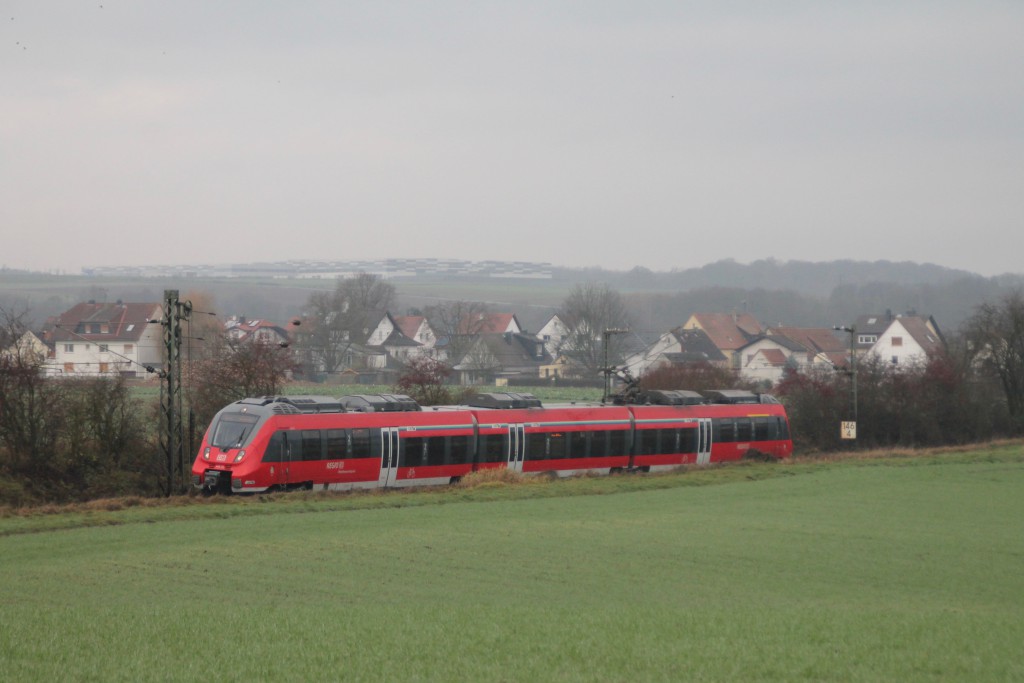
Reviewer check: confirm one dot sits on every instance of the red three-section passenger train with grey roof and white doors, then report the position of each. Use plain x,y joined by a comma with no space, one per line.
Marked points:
258,445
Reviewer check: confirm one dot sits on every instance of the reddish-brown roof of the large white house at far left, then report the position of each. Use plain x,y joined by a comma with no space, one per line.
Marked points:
102,323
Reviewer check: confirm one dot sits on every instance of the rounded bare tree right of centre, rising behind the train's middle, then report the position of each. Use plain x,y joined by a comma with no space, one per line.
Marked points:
590,312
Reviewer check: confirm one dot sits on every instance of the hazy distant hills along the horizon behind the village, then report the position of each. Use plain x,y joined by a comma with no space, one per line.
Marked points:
796,293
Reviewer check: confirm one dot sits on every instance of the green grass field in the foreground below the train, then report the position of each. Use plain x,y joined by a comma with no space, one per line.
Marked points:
900,569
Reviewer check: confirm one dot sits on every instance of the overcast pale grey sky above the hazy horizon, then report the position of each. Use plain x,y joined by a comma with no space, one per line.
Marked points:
667,135
